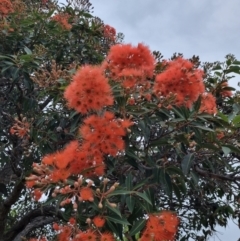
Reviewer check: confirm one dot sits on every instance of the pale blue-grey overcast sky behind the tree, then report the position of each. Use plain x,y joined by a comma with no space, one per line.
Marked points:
207,28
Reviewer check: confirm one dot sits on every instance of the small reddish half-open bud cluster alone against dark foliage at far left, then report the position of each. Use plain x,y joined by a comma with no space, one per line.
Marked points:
21,128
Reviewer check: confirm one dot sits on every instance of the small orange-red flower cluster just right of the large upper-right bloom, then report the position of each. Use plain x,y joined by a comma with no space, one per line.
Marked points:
208,104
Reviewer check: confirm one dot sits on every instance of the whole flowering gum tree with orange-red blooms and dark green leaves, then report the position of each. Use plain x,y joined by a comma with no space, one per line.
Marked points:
112,141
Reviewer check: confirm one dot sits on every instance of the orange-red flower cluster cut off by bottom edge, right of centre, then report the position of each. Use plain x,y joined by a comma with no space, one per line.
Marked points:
161,227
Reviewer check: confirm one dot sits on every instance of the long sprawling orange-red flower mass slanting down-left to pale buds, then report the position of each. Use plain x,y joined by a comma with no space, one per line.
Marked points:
101,135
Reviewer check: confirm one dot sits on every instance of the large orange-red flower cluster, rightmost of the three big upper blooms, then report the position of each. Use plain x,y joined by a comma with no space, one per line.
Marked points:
182,80
